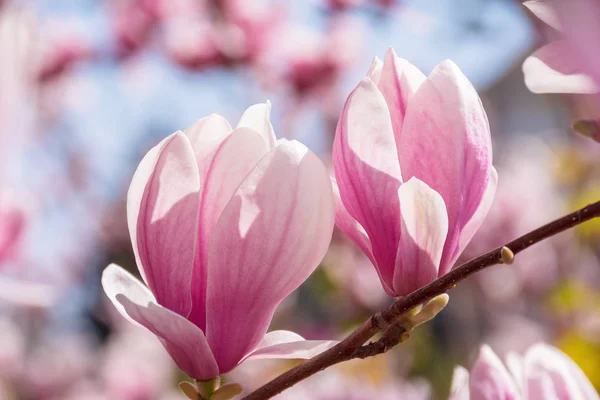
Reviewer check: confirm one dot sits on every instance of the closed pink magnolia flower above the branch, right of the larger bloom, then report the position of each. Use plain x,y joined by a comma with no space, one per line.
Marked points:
413,160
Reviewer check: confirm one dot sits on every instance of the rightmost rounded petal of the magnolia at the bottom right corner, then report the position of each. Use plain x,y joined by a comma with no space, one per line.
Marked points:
552,375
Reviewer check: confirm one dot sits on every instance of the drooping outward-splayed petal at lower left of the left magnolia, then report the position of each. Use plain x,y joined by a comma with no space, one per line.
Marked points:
184,341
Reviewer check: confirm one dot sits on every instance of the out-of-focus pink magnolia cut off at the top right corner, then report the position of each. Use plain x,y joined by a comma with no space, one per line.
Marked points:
568,64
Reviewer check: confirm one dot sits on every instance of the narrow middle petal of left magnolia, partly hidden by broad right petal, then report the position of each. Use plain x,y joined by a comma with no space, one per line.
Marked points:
232,161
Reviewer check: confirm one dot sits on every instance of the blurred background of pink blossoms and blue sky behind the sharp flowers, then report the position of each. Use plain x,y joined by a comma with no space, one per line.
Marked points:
87,87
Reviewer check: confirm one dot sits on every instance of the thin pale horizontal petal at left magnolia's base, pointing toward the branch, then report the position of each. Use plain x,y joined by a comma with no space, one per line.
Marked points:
303,349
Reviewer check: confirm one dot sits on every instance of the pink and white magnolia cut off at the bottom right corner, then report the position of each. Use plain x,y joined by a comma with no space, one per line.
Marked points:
544,373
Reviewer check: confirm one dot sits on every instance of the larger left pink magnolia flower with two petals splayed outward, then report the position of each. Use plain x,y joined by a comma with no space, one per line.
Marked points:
224,224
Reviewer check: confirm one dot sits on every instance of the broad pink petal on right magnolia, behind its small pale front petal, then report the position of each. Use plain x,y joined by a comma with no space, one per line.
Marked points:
446,143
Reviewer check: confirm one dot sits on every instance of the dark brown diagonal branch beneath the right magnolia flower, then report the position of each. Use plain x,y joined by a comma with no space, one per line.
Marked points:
387,320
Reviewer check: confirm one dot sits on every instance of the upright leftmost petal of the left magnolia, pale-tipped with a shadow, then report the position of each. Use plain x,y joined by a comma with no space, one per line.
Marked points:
162,214
